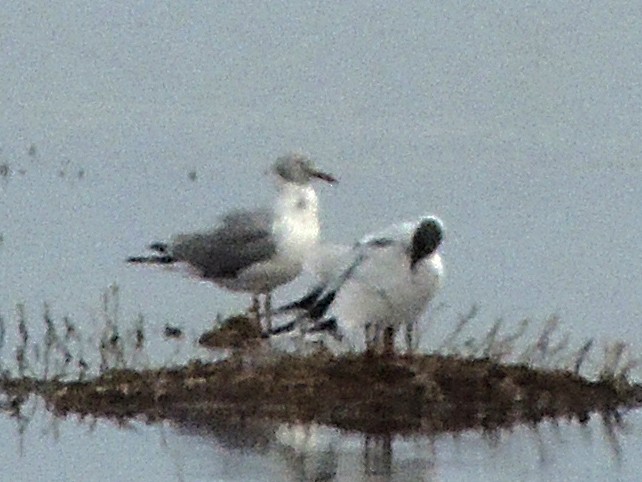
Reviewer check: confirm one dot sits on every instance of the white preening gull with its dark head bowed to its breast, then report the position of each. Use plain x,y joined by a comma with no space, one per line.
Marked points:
387,282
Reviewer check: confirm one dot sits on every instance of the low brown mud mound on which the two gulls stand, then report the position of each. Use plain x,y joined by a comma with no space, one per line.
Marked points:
420,393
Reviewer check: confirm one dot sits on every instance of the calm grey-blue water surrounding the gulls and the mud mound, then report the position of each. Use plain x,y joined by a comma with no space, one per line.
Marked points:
519,126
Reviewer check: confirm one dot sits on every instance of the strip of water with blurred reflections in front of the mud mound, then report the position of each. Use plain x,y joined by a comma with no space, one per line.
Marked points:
250,449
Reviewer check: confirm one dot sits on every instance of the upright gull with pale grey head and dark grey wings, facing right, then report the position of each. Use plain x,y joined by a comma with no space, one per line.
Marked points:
257,250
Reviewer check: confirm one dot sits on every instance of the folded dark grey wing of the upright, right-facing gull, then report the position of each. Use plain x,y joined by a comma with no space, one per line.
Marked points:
242,239
